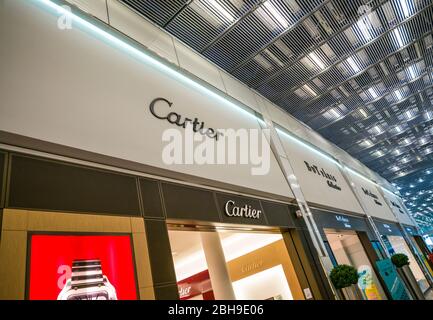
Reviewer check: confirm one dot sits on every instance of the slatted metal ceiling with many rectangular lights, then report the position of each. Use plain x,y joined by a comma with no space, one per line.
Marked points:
358,72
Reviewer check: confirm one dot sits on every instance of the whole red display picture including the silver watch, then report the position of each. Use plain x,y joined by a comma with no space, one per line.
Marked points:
81,267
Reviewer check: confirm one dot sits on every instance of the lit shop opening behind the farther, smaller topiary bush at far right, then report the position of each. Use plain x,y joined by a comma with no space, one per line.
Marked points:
397,244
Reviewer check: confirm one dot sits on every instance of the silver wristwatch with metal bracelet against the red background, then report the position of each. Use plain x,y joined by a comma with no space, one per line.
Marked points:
87,282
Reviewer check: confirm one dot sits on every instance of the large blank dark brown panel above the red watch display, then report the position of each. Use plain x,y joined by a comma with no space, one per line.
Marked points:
49,185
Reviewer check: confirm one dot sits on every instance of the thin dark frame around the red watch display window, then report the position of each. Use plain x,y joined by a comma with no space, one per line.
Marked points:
30,234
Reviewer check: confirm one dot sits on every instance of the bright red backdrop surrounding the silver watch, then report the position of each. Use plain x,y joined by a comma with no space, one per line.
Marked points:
51,258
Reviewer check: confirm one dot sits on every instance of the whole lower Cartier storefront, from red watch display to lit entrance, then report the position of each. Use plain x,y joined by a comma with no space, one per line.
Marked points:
139,237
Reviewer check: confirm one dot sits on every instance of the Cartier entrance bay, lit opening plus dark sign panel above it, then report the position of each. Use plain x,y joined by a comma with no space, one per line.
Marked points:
228,246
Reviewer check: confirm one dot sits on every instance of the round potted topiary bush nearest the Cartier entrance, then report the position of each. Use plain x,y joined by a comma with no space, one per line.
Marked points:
345,279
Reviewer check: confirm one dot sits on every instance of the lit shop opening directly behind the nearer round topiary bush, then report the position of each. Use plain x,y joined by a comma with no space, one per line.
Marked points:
347,249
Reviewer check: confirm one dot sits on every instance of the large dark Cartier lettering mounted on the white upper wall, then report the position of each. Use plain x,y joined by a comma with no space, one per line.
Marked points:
179,120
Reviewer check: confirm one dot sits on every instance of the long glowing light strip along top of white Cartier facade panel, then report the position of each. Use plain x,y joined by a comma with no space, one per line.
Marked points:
142,56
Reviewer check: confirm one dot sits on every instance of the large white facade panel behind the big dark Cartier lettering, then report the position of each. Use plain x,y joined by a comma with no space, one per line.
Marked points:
77,89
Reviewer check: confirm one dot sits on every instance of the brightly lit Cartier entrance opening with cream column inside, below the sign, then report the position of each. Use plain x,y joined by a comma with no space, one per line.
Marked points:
232,264
